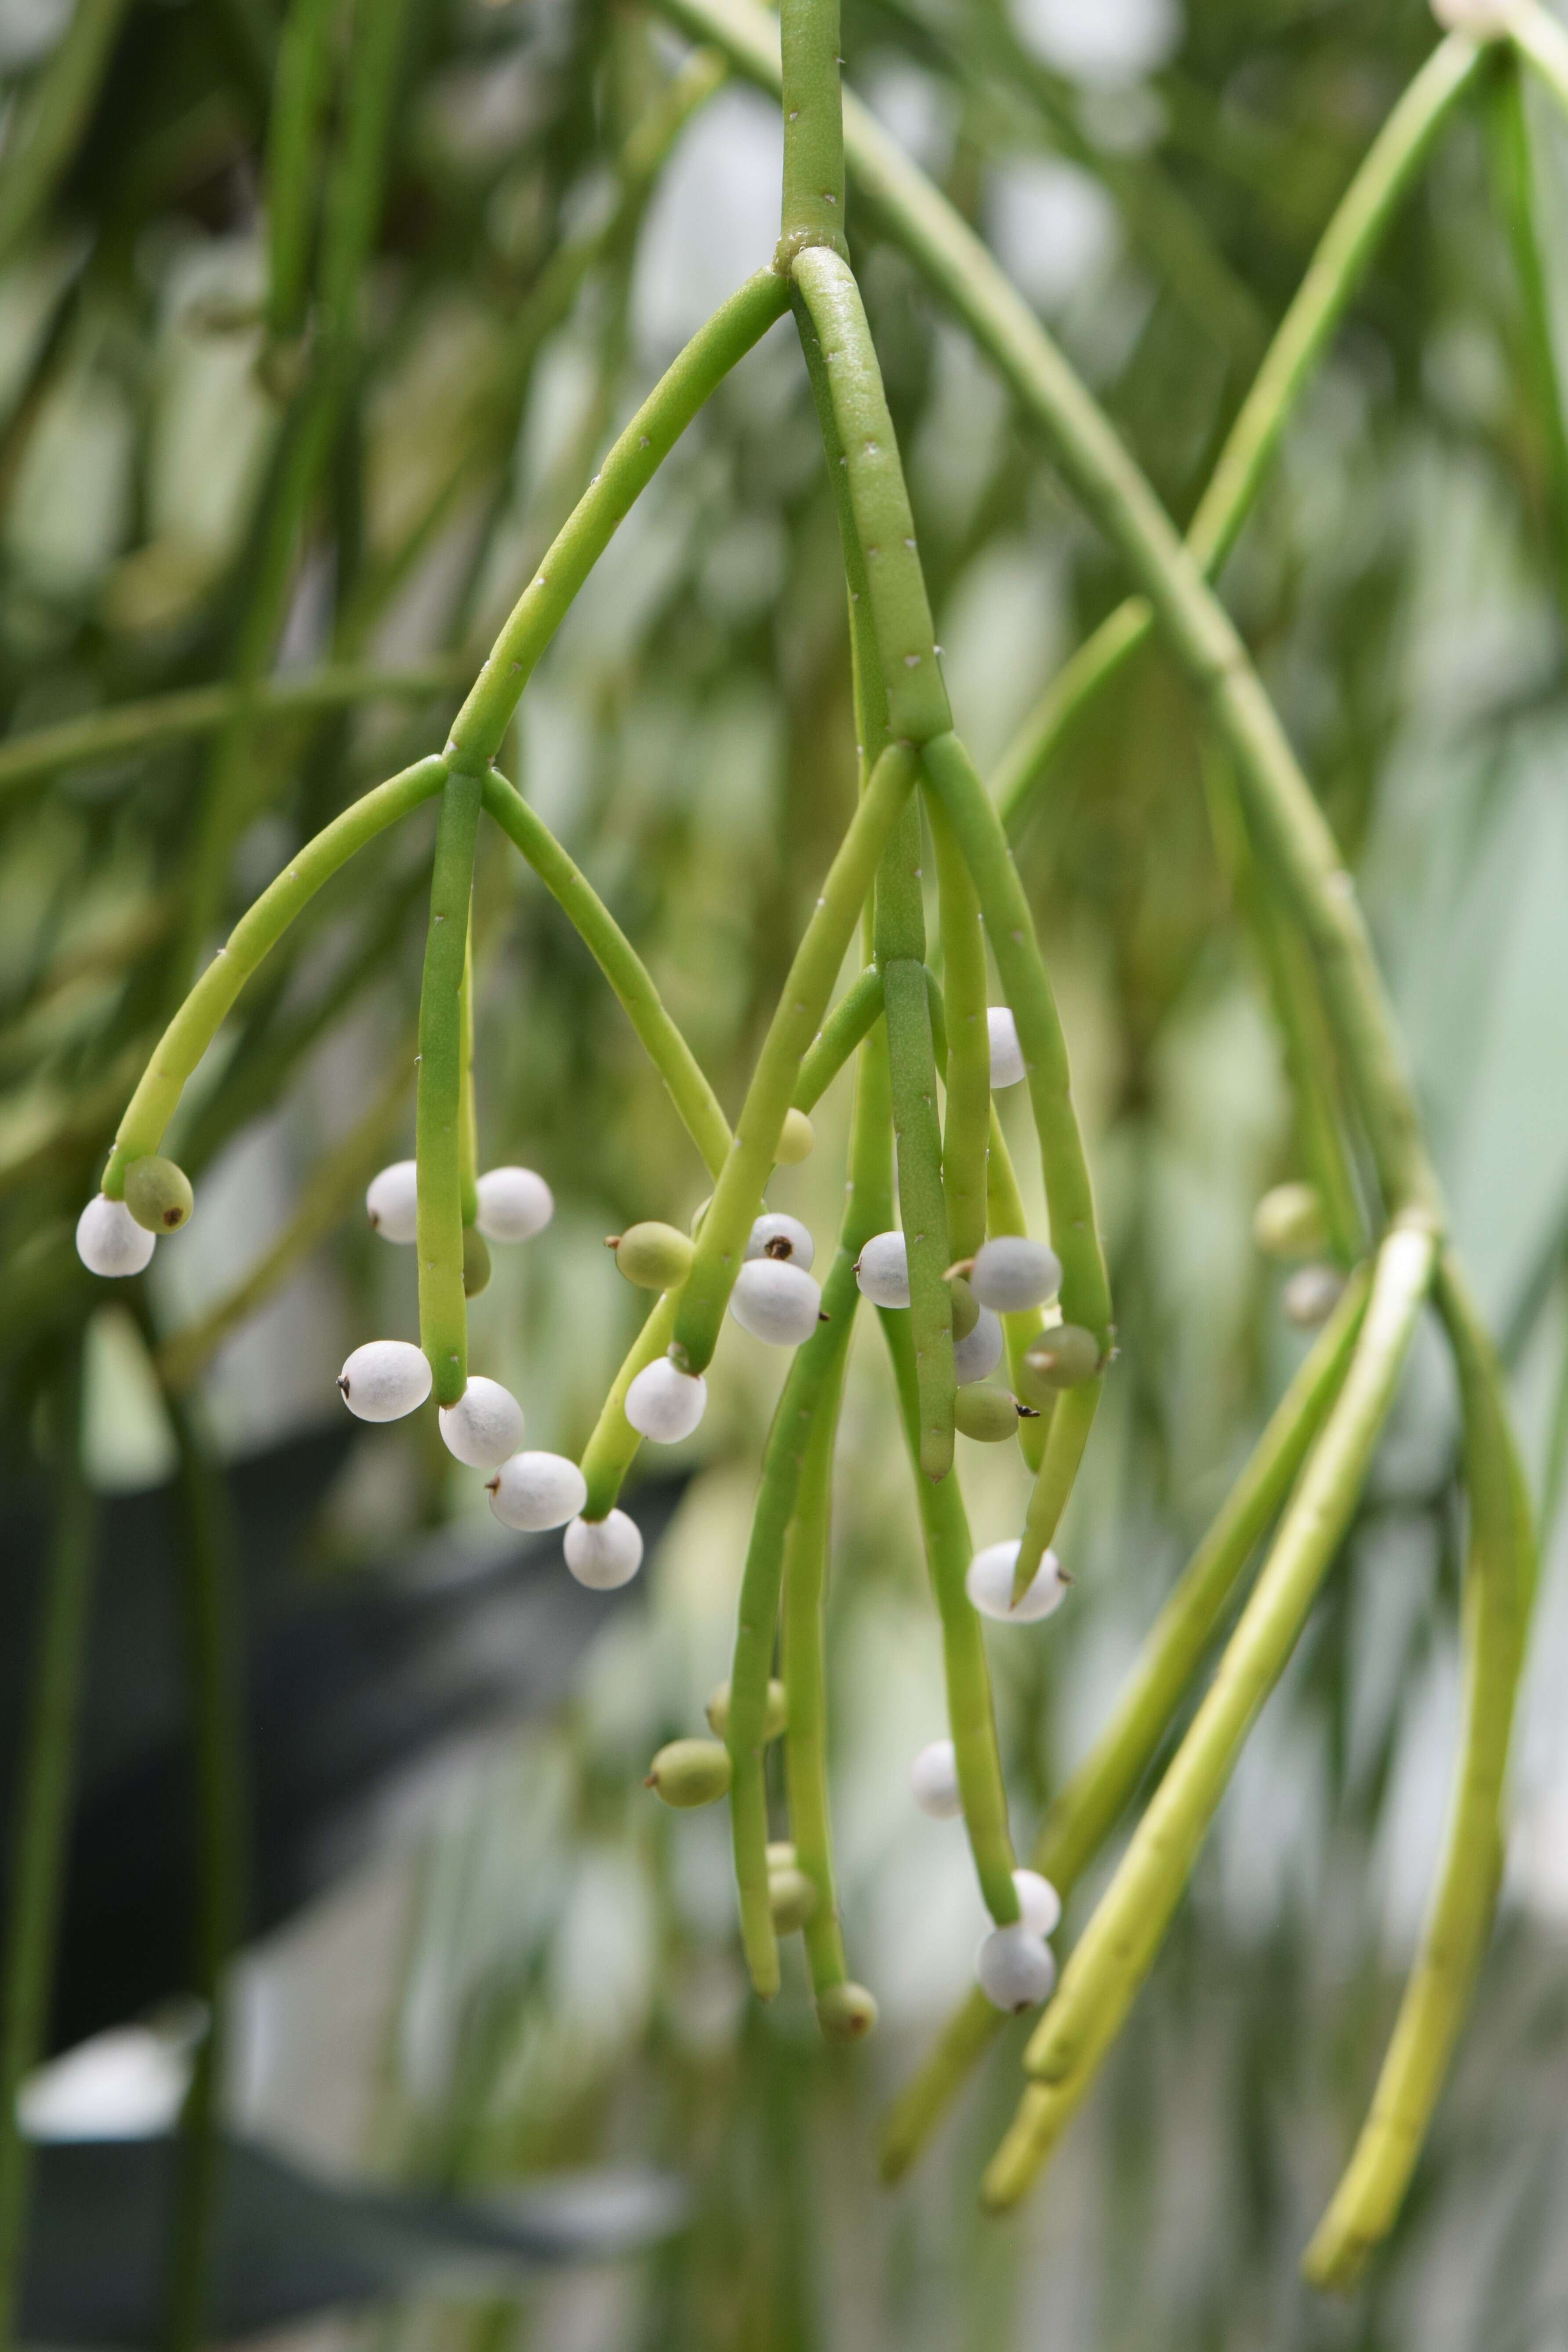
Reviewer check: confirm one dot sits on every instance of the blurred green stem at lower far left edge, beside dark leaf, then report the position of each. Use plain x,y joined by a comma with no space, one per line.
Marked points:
43,1815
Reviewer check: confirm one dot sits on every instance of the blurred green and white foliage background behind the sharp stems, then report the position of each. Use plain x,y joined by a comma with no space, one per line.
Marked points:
478,1953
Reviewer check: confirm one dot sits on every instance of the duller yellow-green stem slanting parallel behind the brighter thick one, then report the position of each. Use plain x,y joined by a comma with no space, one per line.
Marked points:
1104,1784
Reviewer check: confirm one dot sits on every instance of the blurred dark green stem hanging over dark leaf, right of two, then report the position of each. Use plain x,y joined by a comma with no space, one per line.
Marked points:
217,1709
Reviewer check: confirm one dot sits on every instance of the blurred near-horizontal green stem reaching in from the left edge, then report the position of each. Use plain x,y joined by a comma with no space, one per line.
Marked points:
175,719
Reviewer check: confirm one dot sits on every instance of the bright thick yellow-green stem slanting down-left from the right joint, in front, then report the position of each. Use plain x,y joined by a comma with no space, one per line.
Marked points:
1127,1930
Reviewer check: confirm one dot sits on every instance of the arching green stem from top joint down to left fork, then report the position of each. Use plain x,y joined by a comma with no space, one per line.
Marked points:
631,465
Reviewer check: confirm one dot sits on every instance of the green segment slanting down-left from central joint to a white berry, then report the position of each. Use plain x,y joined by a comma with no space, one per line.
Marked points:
784,1050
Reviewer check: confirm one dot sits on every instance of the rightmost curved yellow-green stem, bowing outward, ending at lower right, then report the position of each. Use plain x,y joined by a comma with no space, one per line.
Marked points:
1499,1589
